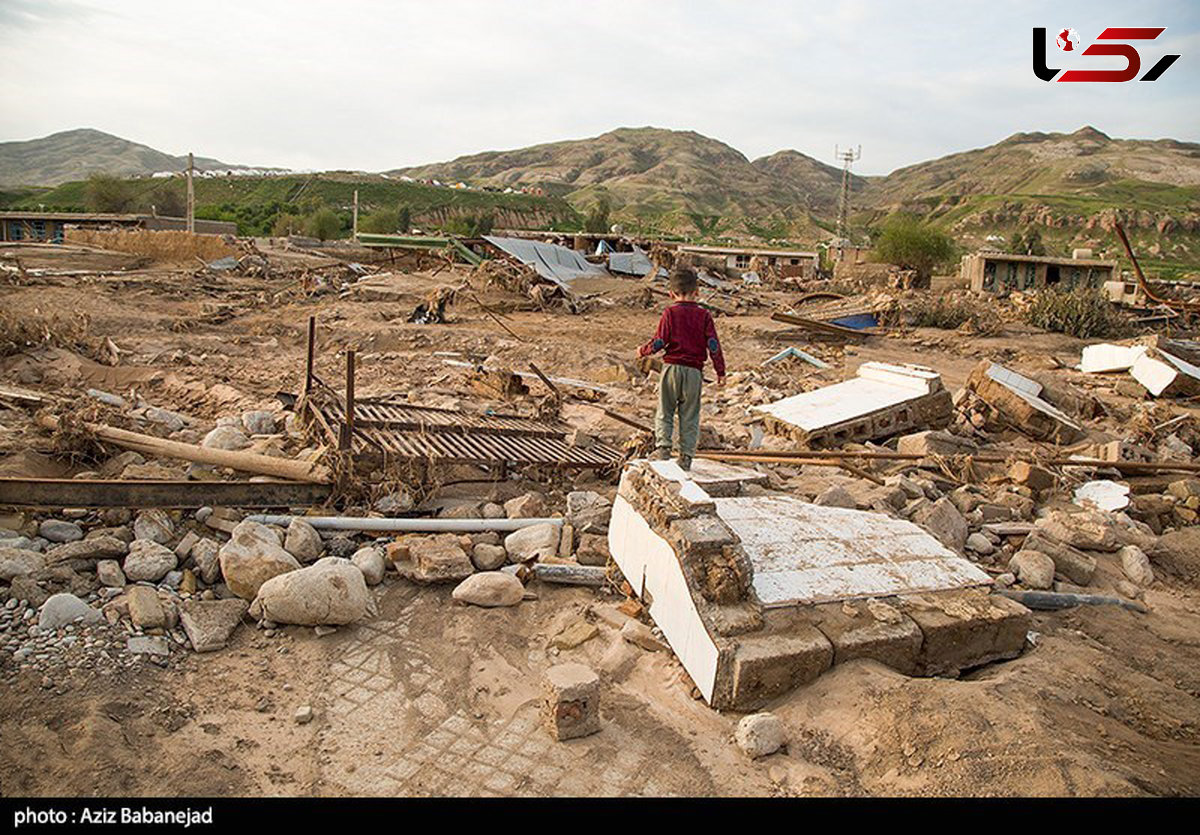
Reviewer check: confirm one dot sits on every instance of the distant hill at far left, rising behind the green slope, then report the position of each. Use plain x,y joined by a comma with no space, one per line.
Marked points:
74,155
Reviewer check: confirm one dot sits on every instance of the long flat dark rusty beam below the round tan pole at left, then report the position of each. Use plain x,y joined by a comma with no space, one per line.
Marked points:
137,494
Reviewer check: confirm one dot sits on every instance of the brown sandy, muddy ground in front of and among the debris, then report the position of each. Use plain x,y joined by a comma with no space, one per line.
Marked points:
434,699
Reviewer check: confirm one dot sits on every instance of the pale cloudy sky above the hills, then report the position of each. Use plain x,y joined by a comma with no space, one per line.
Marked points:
374,86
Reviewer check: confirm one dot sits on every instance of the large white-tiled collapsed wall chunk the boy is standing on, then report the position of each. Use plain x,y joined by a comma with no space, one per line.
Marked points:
759,593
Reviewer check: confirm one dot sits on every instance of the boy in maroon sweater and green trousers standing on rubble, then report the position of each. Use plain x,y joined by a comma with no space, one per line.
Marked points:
686,333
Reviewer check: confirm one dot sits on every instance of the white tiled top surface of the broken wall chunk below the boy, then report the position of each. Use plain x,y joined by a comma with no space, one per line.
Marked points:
806,554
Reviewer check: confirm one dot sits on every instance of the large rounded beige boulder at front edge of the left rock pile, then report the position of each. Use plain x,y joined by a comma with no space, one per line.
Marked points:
331,592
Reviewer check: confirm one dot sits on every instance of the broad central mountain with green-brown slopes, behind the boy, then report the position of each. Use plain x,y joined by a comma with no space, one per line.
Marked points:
658,176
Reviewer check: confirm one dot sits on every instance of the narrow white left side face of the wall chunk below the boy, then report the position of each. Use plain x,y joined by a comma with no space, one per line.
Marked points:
652,568
